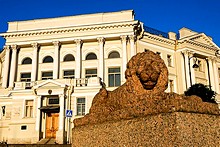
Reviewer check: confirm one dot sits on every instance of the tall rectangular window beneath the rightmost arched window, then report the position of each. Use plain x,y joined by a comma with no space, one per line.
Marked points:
114,77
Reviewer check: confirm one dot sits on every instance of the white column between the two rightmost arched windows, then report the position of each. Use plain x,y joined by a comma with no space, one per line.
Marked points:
101,41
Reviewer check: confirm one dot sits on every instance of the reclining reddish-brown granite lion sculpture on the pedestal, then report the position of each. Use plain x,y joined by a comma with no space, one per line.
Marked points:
142,94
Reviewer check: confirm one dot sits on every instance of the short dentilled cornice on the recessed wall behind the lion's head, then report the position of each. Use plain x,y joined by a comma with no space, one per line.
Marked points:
159,38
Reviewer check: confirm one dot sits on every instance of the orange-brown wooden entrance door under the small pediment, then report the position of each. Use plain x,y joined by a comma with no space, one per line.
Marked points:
52,125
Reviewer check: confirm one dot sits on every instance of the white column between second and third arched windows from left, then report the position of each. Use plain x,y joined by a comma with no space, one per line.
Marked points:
56,60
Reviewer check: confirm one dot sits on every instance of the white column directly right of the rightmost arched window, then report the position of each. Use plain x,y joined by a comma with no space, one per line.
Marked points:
124,55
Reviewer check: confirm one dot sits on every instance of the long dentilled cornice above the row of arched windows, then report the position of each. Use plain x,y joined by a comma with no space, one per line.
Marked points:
69,29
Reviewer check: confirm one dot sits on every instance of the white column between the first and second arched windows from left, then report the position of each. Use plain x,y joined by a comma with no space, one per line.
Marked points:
34,61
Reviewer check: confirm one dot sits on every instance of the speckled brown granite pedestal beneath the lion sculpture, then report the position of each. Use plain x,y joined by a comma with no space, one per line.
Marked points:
164,129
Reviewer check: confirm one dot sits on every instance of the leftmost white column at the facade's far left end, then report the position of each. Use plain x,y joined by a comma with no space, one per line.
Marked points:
6,67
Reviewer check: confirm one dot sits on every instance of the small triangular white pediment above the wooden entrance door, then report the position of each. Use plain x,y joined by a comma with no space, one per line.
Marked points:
51,84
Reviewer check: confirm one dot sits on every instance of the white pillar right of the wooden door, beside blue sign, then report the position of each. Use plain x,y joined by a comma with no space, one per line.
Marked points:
62,110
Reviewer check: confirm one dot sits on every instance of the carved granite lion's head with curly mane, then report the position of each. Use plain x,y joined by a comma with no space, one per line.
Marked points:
147,70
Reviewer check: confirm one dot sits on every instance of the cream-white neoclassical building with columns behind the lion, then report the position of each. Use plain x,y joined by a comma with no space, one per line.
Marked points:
51,68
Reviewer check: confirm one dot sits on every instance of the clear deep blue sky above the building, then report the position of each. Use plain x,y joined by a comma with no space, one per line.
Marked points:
164,15
